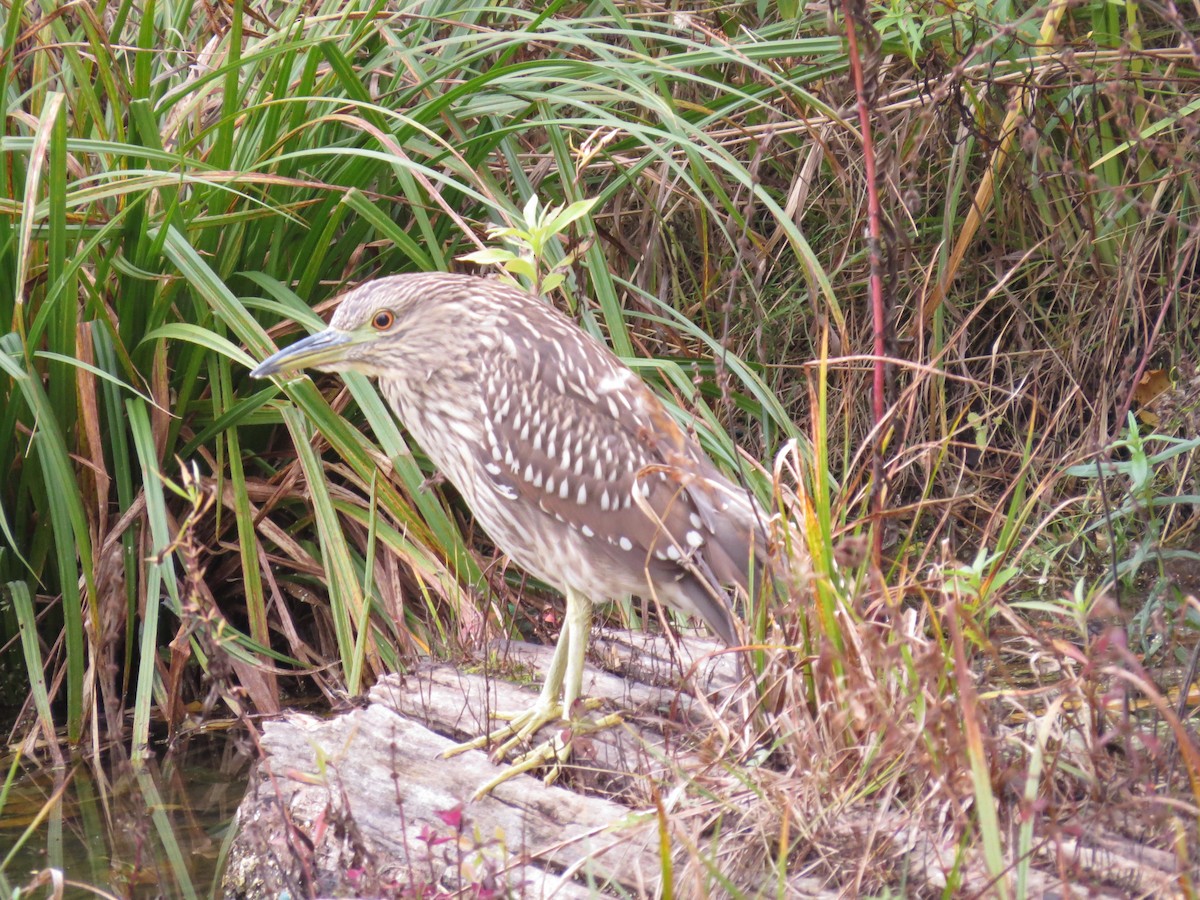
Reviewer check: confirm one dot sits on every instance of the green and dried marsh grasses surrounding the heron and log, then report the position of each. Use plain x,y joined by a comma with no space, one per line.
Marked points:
932,292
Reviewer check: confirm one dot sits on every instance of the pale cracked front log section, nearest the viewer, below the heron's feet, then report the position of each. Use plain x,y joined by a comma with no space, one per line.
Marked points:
363,802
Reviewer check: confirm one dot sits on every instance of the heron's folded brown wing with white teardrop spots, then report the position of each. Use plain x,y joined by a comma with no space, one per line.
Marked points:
573,433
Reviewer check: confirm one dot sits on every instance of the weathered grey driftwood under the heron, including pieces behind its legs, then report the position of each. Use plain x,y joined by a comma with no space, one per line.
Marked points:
363,805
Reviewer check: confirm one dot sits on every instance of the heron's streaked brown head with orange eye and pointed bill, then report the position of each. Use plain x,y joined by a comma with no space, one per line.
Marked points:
382,327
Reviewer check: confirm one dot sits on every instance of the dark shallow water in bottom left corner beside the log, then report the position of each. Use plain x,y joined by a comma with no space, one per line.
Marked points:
157,831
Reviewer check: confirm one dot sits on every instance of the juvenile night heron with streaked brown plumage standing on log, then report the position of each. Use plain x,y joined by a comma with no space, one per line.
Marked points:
571,463
